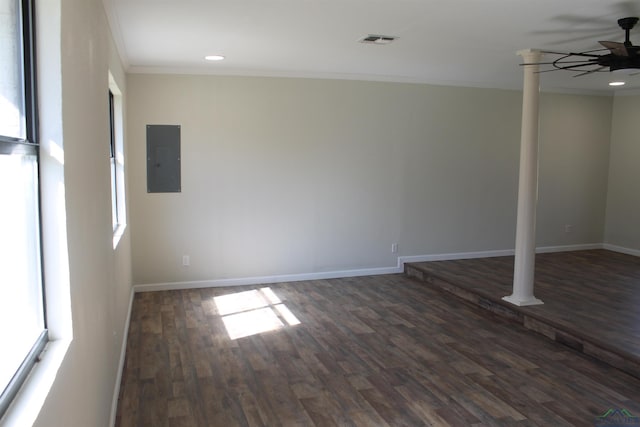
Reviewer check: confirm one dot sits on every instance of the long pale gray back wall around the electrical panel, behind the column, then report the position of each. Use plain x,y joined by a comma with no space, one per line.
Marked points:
291,176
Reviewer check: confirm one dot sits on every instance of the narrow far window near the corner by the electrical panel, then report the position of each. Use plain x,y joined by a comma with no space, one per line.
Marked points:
116,159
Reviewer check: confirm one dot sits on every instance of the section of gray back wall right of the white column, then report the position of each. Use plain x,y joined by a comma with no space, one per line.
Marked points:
574,164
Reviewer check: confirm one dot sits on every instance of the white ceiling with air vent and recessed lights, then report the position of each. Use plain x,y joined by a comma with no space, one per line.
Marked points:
453,42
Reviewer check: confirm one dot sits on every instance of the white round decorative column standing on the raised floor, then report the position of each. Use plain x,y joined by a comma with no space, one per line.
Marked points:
525,259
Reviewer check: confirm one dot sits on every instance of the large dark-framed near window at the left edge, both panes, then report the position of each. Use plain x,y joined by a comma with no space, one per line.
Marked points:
22,316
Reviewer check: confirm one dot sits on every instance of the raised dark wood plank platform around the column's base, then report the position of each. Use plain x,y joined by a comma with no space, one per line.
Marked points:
591,298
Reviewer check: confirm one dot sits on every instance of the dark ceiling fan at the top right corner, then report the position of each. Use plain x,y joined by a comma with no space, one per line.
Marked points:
620,56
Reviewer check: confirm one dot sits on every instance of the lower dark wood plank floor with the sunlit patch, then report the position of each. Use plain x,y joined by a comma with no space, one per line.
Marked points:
371,351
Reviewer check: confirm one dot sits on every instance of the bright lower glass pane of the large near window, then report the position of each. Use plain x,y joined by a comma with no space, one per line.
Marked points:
21,311
